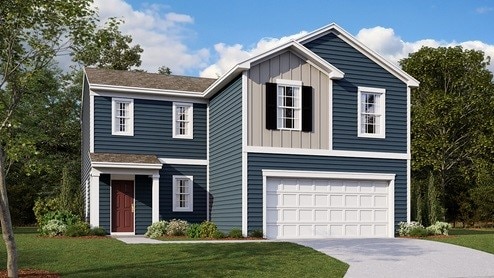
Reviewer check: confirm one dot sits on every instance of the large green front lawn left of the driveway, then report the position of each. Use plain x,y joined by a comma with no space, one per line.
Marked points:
107,257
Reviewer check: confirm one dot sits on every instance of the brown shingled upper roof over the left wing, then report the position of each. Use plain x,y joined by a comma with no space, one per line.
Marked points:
107,78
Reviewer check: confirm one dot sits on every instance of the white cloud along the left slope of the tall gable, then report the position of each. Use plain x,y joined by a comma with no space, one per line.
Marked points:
230,55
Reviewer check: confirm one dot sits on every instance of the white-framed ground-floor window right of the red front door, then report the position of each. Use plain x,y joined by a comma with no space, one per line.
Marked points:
183,194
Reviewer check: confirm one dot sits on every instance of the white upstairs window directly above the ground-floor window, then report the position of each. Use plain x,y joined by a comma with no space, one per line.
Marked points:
182,120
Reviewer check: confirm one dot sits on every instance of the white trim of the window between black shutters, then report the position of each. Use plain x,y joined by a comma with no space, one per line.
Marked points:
297,125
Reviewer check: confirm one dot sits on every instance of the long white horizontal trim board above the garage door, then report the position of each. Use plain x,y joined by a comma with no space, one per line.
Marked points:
329,153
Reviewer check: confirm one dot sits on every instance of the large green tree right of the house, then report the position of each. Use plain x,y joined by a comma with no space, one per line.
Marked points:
450,128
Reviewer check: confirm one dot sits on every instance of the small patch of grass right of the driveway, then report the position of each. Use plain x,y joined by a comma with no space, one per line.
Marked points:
480,239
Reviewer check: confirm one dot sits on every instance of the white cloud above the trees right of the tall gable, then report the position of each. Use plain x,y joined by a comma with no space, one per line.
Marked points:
385,42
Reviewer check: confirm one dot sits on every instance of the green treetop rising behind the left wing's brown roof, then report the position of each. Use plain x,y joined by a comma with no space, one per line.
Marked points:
110,49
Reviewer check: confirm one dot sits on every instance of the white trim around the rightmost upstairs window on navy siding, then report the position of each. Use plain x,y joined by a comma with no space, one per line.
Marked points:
382,121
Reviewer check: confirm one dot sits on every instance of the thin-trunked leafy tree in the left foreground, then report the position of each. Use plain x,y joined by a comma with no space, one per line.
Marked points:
33,33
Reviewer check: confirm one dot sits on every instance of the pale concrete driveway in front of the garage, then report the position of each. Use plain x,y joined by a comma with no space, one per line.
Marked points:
399,257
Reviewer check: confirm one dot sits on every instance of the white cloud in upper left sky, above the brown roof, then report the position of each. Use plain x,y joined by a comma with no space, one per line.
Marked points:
162,35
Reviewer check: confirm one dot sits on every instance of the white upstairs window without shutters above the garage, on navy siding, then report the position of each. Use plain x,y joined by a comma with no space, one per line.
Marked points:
371,112
